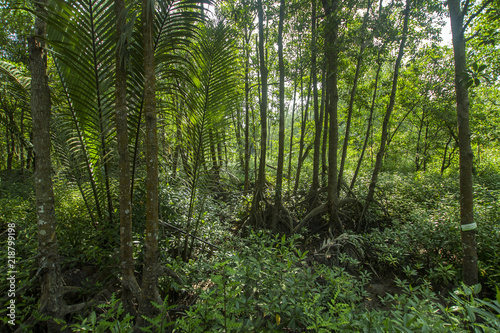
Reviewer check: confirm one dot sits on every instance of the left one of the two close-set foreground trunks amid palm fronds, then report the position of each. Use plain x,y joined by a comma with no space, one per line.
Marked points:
130,285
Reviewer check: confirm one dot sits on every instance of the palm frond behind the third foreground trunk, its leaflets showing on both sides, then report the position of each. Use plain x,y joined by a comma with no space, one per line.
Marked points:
176,23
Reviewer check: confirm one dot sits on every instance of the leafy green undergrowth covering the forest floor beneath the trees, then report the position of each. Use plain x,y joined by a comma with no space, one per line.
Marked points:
267,283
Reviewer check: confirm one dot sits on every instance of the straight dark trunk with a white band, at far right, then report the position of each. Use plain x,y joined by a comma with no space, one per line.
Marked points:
470,269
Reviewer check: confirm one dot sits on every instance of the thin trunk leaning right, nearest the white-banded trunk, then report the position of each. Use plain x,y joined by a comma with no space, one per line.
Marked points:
385,125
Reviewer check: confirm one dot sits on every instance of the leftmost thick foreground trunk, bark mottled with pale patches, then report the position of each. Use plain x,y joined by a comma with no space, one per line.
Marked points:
51,302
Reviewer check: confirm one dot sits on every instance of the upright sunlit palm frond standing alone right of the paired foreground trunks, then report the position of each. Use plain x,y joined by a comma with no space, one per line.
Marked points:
210,99
